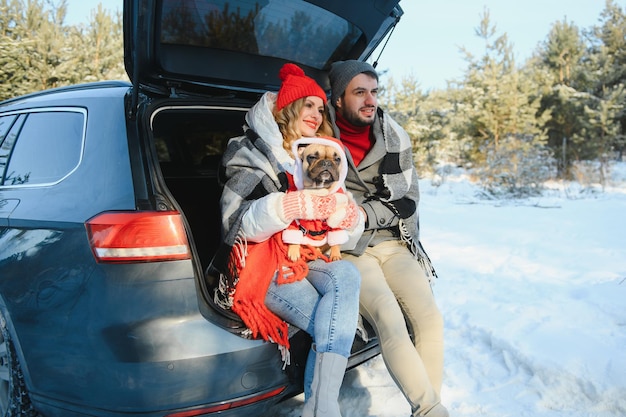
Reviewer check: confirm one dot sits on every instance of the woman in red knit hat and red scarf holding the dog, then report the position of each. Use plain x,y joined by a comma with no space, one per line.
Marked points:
262,285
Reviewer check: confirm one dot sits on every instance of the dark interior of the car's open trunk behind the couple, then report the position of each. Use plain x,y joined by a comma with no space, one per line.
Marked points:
189,142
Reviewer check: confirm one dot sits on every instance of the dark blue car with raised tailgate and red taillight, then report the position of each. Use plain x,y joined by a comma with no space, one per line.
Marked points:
109,214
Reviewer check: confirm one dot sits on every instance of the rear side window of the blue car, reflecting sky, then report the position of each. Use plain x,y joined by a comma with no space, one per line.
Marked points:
48,148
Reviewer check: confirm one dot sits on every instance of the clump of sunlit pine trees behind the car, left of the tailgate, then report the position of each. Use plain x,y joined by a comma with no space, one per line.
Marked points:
38,51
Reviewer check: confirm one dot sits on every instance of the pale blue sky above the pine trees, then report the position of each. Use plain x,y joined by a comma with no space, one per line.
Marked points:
426,43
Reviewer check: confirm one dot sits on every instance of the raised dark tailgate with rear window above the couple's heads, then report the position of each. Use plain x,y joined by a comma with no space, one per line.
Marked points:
241,44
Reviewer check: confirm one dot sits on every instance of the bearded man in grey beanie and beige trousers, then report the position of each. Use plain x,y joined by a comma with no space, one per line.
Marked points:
395,270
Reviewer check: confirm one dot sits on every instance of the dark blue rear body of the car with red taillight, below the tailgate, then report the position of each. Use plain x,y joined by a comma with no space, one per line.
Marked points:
101,283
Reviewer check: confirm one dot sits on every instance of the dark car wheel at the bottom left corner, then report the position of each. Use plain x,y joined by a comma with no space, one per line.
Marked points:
14,399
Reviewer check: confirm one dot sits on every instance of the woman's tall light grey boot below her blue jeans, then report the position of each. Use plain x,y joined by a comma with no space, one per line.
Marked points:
327,379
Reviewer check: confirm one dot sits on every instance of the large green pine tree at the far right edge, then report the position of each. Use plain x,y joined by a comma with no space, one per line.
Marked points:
585,95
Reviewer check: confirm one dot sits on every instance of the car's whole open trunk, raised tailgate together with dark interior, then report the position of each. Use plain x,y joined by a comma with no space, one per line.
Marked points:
199,65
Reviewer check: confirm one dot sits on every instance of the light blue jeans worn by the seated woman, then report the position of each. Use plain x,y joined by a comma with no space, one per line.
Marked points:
325,305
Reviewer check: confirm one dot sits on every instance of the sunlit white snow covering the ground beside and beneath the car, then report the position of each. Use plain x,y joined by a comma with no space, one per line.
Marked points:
533,294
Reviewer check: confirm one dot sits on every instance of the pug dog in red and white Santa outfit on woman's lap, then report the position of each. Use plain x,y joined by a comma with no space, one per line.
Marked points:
320,164
